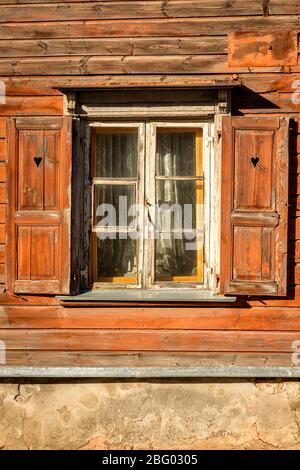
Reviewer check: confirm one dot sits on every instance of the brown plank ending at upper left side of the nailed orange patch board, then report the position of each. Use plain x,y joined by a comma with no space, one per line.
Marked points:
110,47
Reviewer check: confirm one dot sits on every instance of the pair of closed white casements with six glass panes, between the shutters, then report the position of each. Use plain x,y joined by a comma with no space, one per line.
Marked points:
150,188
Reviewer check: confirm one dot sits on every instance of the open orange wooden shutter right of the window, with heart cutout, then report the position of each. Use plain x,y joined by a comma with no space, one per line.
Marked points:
254,212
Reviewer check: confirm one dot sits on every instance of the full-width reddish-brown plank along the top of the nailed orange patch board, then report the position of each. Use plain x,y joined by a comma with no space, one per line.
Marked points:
211,26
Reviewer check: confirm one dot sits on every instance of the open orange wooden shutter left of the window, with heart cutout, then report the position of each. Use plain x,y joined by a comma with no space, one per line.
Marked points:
39,197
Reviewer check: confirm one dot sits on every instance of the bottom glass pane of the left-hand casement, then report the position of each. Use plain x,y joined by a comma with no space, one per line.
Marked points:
116,258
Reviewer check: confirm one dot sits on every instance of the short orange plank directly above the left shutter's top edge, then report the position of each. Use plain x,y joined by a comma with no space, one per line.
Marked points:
34,106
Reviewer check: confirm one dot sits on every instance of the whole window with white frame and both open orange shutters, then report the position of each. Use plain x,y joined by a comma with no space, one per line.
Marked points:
149,203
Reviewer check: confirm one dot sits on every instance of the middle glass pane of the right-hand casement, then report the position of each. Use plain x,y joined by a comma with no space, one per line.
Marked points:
179,204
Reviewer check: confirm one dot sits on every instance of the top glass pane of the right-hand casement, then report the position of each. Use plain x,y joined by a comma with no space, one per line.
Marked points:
178,152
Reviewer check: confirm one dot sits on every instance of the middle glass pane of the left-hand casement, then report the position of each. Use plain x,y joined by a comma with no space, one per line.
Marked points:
113,203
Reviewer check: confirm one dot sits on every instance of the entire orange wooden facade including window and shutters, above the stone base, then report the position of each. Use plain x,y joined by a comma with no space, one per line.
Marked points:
201,100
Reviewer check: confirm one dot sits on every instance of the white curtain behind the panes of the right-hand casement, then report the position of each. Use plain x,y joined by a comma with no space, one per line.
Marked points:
175,156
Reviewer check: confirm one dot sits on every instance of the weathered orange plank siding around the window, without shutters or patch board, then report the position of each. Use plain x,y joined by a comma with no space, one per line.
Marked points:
47,45
